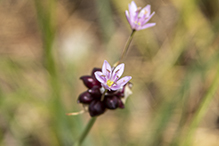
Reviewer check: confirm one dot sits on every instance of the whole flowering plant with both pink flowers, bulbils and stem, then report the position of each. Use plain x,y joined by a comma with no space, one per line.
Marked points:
105,89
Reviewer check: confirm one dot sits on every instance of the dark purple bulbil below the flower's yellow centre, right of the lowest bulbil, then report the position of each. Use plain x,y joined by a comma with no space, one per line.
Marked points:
111,102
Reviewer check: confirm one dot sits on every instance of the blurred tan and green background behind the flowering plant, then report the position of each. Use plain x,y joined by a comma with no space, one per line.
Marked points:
45,46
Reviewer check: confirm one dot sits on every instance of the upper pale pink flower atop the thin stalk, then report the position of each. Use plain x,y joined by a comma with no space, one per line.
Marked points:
138,17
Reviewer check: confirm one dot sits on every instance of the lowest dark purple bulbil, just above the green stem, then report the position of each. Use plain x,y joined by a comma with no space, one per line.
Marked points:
96,108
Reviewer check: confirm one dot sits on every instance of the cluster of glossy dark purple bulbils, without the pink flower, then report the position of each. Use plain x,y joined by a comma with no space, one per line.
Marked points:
92,97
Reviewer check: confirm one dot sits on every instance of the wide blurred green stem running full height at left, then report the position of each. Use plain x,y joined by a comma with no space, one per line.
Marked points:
46,13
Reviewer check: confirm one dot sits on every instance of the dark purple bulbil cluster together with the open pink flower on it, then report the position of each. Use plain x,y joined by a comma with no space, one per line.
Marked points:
106,82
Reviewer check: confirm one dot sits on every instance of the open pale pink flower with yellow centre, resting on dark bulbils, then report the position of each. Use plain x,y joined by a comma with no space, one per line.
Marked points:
109,78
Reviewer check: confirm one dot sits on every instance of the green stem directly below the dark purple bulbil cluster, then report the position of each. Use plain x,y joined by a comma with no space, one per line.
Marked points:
86,131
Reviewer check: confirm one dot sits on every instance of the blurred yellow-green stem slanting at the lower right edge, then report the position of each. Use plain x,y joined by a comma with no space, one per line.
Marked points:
201,110
